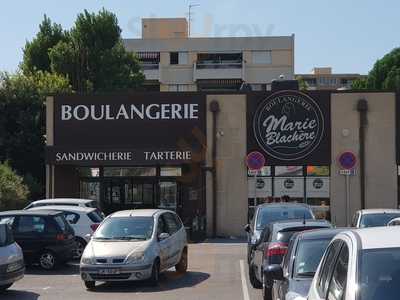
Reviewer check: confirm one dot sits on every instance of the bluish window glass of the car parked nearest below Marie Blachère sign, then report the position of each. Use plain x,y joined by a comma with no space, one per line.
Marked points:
268,215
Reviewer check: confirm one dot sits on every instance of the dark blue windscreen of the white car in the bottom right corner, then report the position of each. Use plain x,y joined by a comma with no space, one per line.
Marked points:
379,276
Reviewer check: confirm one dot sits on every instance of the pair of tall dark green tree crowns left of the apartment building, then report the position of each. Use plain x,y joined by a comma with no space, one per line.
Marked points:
91,55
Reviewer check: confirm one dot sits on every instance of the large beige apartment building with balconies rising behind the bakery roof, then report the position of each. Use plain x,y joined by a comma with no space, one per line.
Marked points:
174,61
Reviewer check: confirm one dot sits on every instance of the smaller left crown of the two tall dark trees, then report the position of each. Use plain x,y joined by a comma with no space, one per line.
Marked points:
36,52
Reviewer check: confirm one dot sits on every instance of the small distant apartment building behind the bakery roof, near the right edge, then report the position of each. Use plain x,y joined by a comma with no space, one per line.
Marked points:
324,79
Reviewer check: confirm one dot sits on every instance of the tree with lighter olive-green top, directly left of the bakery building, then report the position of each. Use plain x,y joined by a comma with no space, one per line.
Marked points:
22,126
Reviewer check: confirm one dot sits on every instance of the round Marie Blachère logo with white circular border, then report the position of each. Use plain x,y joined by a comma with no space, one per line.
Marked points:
288,125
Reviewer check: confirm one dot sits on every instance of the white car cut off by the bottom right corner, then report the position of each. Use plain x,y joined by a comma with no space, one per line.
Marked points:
361,264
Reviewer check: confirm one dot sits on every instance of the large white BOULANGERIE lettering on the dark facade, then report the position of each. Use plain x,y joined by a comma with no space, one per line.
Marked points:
151,111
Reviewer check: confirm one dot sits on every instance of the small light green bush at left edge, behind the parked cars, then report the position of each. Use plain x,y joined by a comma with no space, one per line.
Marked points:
13,192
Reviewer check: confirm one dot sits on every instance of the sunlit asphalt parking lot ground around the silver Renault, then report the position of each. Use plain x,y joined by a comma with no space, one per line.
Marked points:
217,269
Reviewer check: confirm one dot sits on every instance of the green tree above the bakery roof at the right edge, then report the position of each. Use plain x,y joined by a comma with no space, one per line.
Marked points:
385,75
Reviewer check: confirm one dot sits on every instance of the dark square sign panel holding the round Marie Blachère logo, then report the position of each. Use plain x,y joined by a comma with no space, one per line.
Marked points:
290,127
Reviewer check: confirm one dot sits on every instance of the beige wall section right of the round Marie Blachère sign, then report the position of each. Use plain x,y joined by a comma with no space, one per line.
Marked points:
381,169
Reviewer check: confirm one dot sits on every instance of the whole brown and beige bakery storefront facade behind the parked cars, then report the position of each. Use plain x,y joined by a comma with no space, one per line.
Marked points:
187,152
